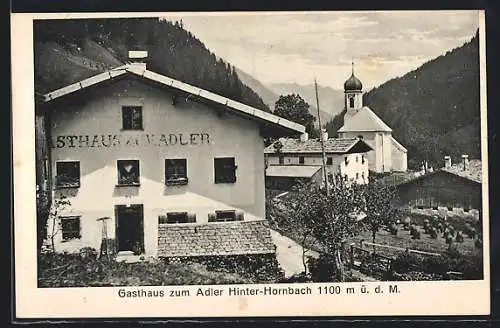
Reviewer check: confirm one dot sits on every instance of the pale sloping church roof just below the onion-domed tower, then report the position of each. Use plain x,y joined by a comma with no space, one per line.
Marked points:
363,120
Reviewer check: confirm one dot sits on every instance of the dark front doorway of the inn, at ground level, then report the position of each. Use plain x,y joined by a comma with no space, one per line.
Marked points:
130,228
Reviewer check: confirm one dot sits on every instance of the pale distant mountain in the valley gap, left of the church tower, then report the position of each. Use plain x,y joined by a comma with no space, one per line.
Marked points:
331,101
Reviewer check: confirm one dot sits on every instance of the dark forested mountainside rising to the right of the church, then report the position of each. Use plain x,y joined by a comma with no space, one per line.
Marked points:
433,110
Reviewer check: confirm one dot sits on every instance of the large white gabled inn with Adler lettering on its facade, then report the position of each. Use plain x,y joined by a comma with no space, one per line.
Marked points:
160,167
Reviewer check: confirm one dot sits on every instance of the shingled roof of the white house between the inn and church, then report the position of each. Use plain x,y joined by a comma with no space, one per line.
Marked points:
313,146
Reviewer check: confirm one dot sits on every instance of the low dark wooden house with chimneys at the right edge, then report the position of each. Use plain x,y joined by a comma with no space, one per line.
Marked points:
454,188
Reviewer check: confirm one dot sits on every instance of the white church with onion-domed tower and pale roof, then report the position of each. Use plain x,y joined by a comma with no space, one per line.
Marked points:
388,155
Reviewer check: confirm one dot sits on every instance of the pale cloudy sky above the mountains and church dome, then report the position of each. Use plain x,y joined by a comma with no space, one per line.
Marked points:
298,47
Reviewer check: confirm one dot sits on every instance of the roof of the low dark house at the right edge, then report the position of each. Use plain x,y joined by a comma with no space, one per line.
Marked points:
474,173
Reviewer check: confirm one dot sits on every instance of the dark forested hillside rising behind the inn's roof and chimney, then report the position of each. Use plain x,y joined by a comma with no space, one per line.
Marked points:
69,50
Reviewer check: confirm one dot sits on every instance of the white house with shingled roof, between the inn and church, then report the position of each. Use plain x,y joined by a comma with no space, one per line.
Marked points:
289,161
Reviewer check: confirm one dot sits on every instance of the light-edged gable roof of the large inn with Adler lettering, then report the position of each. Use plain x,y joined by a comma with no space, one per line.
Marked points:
142,72
